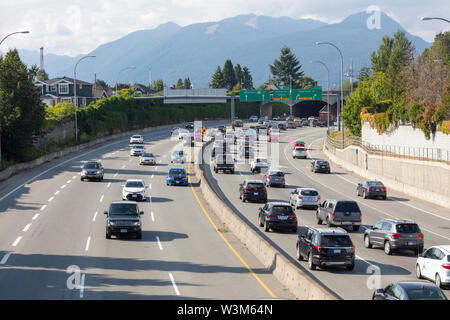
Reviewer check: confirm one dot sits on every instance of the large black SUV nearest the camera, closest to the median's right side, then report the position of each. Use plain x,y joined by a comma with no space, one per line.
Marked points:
326,247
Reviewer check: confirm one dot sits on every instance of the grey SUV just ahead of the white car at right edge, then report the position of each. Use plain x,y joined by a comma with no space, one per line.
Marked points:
394,235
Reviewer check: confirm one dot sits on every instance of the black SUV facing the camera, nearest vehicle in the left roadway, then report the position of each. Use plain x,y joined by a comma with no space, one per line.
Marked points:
123,218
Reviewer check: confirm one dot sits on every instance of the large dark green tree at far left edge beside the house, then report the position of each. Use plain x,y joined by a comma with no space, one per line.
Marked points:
21,110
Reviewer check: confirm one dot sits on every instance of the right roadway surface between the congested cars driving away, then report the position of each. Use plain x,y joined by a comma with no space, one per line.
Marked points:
360,283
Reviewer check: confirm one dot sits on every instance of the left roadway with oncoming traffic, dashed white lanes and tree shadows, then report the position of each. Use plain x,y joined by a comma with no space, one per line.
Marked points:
53,245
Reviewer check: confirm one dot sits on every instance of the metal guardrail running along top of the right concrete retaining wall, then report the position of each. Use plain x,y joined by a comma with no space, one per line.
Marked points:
404,152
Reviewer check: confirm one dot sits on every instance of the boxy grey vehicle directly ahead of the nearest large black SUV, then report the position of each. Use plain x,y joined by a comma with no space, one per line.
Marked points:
344,213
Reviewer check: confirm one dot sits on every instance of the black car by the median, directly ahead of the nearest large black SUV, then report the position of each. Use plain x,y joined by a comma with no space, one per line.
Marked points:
277,215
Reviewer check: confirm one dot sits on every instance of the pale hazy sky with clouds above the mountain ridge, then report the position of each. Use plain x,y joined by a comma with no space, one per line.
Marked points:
74,27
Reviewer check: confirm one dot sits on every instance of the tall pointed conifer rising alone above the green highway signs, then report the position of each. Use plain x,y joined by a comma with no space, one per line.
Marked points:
287,68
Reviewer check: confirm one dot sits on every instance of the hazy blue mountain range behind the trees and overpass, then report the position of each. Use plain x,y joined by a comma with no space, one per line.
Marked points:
195,51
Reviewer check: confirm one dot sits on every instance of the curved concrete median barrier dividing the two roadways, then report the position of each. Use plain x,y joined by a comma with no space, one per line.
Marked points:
302,285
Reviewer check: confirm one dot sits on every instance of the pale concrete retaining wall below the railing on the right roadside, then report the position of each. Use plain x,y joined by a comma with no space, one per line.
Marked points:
426,180
